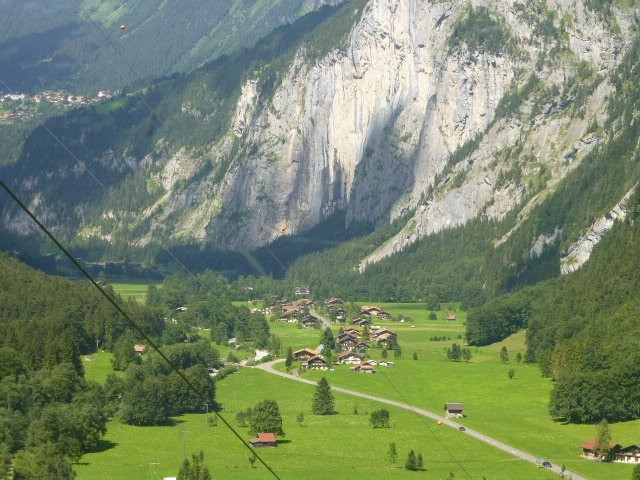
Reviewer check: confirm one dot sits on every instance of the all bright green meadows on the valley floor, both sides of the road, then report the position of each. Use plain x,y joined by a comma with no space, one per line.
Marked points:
511,410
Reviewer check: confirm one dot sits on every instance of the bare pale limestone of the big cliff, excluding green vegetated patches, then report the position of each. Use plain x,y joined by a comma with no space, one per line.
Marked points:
370,128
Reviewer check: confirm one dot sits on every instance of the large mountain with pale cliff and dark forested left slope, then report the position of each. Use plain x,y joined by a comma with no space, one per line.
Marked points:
416,115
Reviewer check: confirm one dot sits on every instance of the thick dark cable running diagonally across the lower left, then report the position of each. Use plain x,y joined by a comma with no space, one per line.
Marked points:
130,321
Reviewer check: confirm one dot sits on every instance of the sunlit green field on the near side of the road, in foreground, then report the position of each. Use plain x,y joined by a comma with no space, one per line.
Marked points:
340,447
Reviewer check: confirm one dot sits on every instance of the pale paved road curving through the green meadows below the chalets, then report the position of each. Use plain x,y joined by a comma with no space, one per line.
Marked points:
268,367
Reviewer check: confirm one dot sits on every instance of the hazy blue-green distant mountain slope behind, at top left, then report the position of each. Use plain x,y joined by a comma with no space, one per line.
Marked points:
78,45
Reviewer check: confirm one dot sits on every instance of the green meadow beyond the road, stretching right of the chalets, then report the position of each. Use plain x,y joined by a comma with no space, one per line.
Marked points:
511,410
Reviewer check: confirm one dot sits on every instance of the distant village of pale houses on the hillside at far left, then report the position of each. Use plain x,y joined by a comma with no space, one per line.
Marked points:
18,106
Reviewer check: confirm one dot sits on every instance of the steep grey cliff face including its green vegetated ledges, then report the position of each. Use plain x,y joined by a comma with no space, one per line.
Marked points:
437,111
